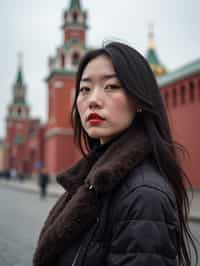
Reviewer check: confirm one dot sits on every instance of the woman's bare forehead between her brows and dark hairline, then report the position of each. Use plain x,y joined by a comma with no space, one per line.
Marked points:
100,67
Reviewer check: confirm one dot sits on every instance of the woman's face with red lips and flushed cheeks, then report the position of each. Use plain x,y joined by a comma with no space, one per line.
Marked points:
104,108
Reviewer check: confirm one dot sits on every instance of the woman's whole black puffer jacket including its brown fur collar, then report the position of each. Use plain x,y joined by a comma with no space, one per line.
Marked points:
128,218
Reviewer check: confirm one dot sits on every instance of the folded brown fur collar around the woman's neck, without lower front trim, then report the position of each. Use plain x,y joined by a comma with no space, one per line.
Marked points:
117,161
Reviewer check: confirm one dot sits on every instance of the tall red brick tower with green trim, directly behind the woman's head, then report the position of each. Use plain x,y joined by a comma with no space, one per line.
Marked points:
60,152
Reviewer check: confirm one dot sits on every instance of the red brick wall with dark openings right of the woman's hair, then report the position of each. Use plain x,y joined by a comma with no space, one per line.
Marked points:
183,106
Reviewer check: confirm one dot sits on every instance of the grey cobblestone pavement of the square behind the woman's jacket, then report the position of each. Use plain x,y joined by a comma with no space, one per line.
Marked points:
21,217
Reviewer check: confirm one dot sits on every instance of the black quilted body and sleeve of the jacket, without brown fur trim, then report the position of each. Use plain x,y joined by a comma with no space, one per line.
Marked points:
141,225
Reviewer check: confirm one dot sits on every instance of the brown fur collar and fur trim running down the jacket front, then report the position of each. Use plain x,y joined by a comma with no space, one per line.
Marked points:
78,209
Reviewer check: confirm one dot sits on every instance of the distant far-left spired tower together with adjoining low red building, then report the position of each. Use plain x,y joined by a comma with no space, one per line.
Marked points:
23,147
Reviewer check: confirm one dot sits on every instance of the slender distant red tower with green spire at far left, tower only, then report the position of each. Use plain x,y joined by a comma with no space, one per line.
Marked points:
17,125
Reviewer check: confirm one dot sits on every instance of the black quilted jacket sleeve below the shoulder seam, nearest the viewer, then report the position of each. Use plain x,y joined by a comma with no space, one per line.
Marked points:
145,230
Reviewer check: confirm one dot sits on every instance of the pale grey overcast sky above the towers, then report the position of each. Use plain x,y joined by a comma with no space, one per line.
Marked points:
33,27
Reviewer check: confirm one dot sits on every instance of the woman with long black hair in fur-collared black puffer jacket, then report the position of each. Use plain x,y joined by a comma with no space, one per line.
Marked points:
125,202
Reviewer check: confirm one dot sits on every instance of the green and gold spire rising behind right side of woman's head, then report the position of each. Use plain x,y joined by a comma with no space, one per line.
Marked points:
152,56
